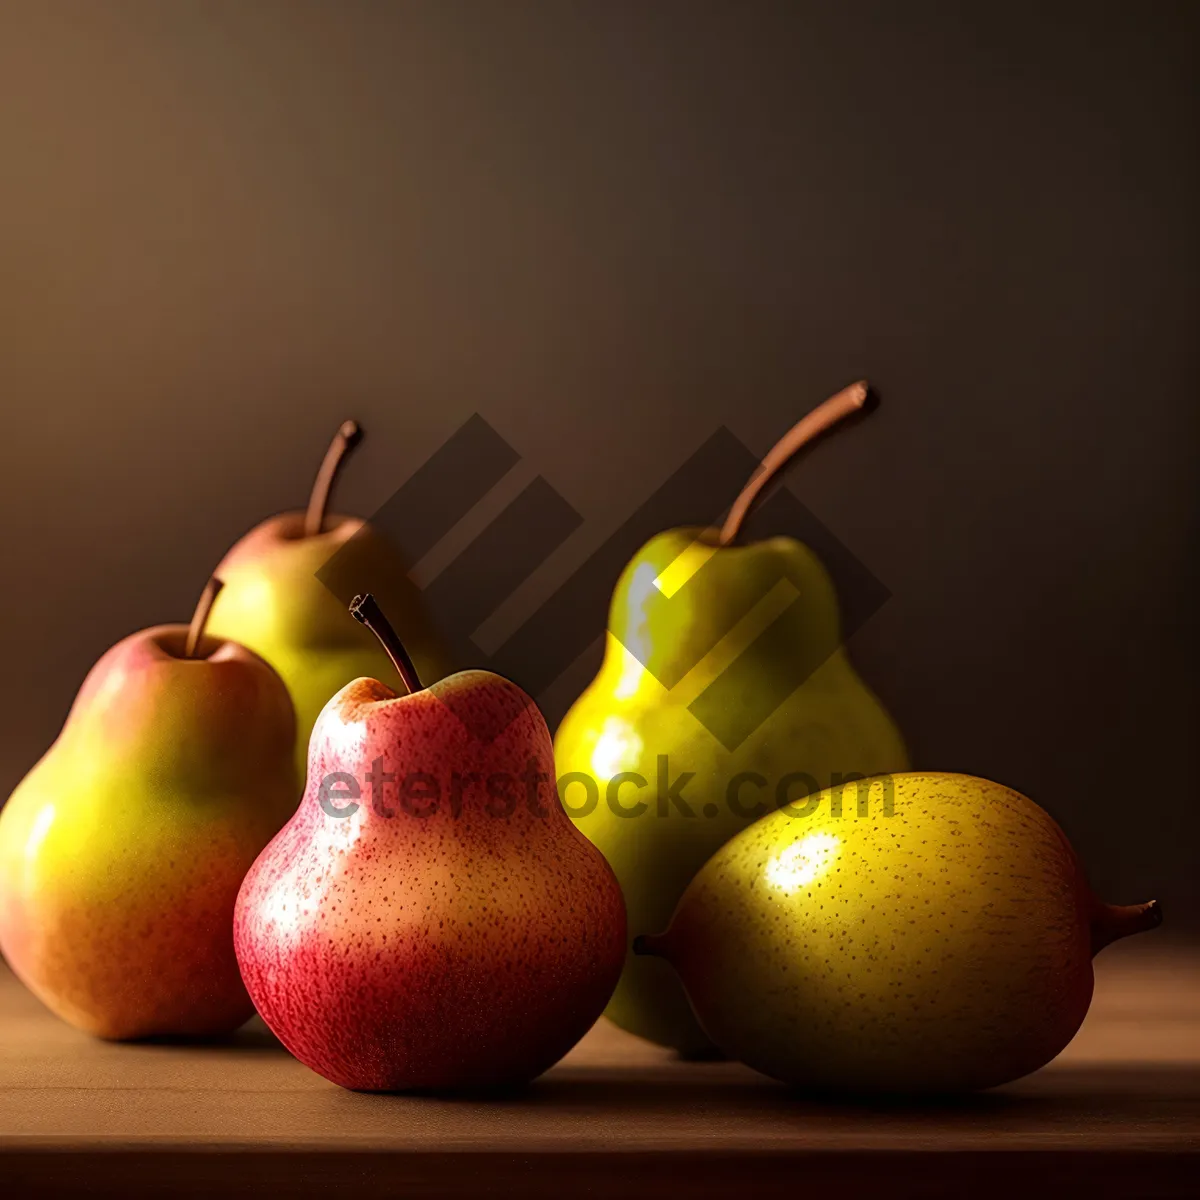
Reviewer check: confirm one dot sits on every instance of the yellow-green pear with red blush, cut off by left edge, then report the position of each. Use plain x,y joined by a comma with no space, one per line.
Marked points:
123,850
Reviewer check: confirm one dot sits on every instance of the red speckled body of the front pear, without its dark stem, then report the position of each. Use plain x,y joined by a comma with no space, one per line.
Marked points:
451,951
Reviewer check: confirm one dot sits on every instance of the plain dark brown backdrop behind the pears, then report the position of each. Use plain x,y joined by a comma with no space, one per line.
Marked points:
610,229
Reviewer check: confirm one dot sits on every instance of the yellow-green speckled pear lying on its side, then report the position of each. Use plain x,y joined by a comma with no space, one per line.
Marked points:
911,934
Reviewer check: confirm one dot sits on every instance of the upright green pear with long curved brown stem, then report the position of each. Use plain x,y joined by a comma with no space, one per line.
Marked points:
692,731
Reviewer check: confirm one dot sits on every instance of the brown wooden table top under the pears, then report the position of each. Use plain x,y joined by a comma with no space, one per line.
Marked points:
1118,1114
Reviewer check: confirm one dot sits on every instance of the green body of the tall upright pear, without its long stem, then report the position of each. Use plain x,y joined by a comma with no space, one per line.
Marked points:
627,718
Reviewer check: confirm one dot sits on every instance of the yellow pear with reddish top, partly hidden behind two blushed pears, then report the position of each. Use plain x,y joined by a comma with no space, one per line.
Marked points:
275,604
